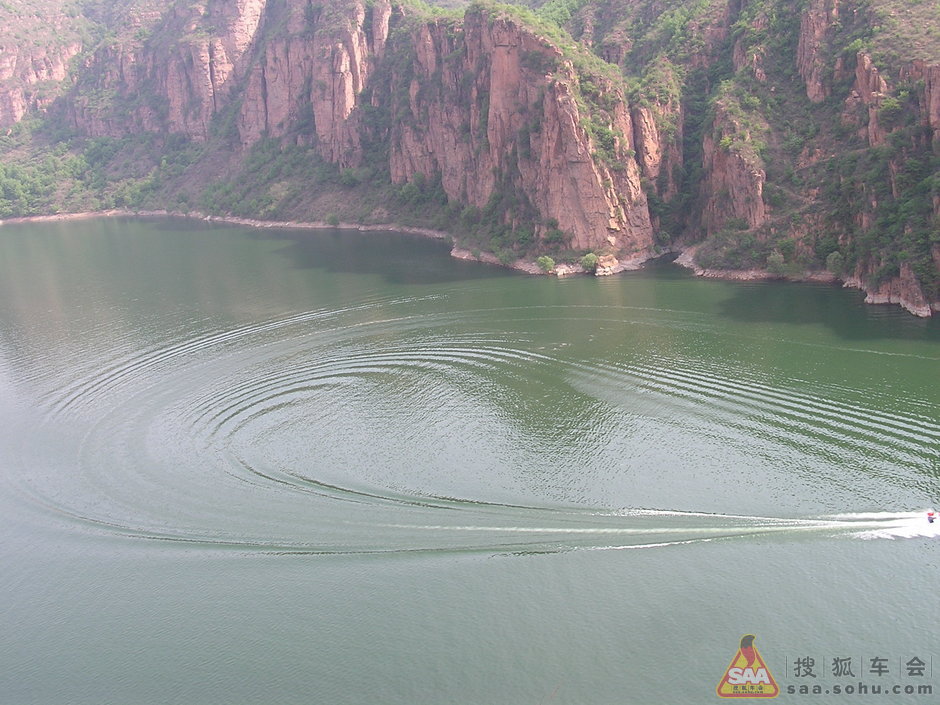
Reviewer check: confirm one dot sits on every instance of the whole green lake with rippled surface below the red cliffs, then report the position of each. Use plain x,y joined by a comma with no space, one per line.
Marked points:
246,466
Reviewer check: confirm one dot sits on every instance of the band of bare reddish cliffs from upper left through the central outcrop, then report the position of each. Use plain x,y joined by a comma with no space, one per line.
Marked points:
470,102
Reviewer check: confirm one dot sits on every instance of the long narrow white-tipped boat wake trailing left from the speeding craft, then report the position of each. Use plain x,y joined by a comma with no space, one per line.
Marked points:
400,524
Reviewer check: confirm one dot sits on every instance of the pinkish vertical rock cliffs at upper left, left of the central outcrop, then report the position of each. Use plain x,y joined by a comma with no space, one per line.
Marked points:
291,68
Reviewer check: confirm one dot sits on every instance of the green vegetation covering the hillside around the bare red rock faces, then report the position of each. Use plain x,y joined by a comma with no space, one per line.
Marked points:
702,68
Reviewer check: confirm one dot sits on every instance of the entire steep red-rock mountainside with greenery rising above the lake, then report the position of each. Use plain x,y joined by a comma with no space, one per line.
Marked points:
770,136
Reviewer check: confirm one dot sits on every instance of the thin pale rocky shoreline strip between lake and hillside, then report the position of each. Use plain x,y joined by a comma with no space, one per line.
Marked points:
684,259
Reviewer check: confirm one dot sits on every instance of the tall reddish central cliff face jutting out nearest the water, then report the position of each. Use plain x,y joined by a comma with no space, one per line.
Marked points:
482,111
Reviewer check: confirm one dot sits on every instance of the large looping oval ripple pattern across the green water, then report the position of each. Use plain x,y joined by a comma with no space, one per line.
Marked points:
376,428
